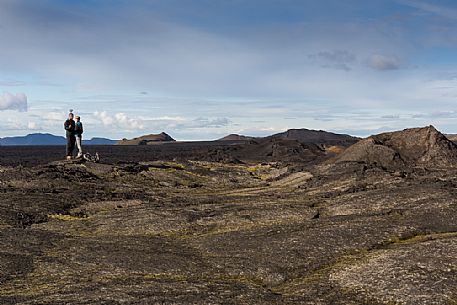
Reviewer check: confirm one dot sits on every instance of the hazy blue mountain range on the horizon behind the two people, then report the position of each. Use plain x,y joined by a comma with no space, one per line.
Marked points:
48,139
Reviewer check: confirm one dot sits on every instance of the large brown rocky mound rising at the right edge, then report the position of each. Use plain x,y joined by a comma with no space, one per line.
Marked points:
410,147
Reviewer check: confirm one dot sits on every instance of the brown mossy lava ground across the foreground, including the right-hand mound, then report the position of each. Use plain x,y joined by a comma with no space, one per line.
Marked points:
377,225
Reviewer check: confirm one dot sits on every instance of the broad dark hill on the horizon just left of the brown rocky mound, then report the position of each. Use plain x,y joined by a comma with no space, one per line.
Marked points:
319,137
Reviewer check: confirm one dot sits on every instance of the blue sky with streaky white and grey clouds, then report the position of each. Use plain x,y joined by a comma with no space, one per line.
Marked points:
201,69
